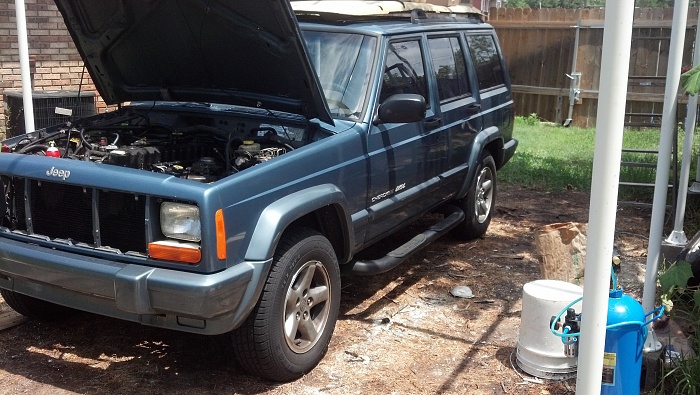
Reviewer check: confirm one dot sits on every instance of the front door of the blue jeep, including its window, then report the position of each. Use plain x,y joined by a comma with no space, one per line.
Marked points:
406,159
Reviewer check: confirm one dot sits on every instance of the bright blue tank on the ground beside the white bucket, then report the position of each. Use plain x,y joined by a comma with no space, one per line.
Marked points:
624,343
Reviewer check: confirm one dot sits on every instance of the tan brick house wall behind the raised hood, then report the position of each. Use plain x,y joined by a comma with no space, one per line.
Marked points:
54,61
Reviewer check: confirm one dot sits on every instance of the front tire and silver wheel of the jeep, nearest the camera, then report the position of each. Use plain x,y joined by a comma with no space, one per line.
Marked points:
288,332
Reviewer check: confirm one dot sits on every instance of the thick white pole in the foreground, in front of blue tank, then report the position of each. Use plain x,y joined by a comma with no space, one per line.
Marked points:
604,187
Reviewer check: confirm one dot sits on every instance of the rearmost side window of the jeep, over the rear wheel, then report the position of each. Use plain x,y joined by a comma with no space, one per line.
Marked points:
487,63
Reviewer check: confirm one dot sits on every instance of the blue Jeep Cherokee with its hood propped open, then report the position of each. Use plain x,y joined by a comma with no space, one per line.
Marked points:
262,147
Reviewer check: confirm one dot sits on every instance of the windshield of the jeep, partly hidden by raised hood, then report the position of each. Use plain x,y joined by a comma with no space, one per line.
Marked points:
343,62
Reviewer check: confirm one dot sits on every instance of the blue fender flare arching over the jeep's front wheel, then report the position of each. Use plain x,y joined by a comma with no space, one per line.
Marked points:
321,208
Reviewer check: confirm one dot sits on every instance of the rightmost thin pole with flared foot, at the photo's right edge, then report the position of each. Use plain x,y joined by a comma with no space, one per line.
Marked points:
677,237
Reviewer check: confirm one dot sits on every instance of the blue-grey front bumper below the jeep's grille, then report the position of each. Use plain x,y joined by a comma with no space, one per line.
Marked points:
200,303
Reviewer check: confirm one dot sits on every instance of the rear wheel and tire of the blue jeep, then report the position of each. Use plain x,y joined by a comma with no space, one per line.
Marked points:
480,201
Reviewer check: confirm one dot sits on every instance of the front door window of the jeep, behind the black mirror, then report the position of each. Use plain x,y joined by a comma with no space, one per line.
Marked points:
404,71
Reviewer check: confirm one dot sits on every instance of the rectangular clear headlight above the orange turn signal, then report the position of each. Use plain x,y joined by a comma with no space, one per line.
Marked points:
180,221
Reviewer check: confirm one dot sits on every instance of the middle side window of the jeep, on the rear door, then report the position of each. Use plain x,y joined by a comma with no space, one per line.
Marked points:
450,71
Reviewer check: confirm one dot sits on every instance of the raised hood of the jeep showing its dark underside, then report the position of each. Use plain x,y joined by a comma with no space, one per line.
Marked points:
242,52
